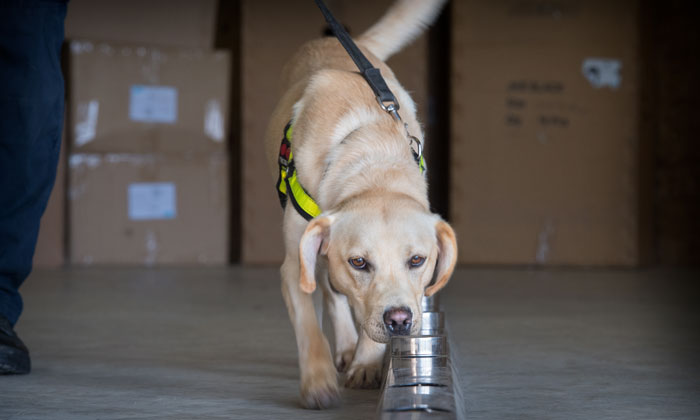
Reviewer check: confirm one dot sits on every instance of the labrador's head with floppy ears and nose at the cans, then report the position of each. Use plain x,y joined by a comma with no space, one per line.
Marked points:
384,254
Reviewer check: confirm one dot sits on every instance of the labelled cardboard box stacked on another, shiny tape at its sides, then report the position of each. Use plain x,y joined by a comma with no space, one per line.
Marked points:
140,99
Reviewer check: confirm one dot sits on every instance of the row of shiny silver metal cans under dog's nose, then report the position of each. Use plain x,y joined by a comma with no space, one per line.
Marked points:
419,380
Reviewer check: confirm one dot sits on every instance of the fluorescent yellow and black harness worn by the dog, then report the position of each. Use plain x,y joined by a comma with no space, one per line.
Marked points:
289,187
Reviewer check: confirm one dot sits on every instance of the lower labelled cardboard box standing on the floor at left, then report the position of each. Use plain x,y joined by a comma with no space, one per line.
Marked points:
148,209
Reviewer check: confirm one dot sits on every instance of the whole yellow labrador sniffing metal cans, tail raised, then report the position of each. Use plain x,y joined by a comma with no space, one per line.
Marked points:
376,249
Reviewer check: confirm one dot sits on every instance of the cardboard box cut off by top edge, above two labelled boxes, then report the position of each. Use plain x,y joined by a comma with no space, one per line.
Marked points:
176,23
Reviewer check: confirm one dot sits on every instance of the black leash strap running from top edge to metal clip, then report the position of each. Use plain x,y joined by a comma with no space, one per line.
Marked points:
372,75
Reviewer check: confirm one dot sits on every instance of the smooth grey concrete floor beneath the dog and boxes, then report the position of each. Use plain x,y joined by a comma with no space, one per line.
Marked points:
216,343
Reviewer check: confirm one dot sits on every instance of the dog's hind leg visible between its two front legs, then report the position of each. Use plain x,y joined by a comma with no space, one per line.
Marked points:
344,330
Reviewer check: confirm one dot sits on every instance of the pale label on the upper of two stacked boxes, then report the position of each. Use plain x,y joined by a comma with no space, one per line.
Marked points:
156,104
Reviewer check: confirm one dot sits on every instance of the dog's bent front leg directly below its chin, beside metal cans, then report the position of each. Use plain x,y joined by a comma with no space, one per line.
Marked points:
366,368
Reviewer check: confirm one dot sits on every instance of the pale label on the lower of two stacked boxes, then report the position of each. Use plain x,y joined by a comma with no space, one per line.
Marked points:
152,201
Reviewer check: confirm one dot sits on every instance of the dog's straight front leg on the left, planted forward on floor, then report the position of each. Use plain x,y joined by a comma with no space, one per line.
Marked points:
319,382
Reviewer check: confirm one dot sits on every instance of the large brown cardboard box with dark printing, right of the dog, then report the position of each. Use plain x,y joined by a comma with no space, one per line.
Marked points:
545,132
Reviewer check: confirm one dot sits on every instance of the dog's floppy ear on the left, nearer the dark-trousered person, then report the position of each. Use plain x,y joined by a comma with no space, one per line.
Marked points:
314,241
